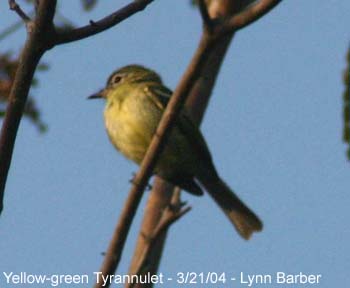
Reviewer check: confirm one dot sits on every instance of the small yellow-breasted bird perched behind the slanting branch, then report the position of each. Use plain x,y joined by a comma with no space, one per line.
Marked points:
136,99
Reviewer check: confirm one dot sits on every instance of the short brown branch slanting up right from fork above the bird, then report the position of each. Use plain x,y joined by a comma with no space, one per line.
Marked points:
249,15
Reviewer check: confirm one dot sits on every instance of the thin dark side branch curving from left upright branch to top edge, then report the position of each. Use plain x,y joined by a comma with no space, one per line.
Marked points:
99,26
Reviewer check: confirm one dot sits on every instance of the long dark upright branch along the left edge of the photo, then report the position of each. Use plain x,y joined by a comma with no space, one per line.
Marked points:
33,50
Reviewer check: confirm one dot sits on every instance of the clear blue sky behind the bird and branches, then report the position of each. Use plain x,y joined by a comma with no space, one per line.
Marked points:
274,126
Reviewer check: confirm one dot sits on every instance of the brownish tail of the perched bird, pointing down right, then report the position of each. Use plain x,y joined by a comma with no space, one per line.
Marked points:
244,219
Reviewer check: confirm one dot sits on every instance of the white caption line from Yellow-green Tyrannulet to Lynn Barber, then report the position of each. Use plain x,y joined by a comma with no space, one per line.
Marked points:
221,279
